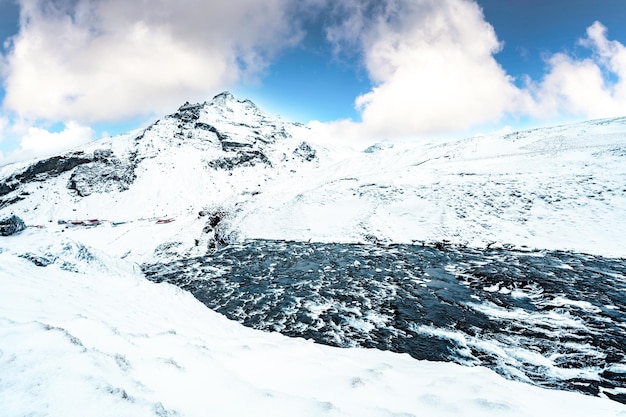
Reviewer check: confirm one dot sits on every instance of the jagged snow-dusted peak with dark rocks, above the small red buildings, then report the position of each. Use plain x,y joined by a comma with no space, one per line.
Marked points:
199,140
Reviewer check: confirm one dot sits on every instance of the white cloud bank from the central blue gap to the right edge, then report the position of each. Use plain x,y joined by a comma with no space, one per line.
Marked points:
434,69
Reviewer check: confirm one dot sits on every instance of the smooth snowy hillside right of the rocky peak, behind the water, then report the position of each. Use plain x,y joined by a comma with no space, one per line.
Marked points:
554,188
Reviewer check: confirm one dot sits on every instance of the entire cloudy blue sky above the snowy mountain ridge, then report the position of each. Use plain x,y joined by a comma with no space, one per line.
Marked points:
377,69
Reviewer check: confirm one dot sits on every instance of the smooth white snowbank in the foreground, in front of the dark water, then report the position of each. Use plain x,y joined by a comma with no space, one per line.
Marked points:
87,336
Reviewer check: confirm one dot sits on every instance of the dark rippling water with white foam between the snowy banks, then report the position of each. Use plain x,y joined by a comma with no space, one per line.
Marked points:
555,319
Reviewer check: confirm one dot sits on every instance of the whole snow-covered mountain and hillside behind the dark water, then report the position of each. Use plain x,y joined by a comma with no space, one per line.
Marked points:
226,171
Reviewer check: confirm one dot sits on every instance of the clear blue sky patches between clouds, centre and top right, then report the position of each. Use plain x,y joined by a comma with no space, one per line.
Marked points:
529,29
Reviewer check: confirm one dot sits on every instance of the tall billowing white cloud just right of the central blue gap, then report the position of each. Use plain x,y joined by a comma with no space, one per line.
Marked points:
432,63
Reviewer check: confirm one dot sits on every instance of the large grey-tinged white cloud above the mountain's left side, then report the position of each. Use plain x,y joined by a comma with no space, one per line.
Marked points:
99,60
